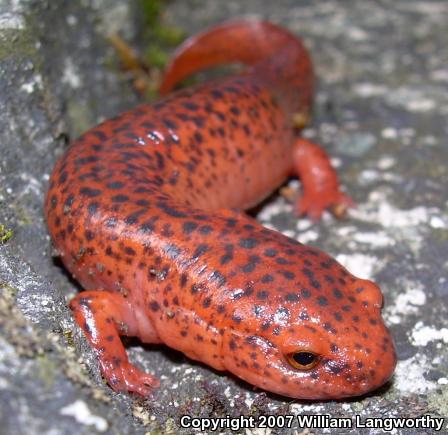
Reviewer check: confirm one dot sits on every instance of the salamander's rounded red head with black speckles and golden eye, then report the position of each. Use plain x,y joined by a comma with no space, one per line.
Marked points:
319,337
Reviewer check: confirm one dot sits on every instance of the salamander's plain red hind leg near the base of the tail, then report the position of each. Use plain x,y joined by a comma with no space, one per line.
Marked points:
320,181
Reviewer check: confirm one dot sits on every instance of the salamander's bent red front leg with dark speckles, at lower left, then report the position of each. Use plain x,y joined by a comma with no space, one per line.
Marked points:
104,316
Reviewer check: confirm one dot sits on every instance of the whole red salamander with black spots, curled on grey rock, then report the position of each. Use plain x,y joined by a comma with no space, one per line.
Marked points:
143,210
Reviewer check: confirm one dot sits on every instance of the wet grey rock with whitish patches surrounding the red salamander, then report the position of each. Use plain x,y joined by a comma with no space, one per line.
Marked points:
381,111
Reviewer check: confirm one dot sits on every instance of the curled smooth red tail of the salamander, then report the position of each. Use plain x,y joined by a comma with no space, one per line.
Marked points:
256,43
